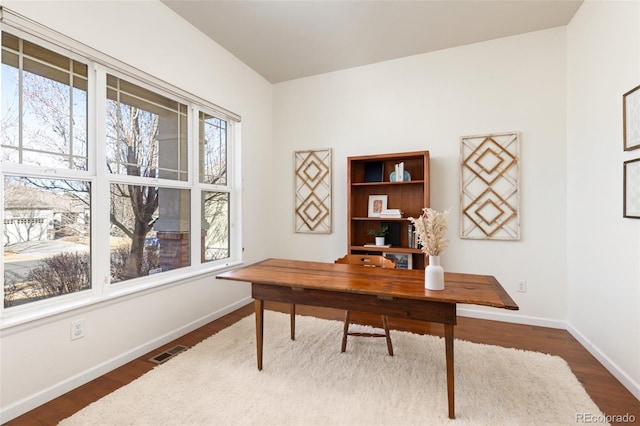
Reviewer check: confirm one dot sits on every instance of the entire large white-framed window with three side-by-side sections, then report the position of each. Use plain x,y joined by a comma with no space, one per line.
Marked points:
129,189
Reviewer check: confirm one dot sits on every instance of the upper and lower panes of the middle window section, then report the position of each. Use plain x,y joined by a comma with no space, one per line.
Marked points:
146,138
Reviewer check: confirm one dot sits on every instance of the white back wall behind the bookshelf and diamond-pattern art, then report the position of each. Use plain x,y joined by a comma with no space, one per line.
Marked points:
428,102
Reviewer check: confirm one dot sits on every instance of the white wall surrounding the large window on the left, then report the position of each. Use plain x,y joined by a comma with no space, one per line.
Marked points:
38,360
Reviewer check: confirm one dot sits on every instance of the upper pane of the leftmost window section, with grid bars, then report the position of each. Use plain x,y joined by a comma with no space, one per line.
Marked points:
44,106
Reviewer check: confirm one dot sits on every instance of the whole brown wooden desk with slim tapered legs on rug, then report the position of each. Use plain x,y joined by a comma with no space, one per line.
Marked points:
393,292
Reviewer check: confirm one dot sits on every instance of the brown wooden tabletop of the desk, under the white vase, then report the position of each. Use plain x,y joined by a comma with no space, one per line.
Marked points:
398,283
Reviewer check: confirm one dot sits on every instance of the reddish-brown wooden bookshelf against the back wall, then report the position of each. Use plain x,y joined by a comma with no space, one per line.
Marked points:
370,175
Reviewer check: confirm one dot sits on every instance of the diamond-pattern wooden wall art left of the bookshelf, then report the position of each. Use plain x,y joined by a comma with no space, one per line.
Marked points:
313,191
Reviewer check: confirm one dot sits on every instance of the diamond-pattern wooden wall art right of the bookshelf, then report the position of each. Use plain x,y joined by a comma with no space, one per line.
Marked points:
490,186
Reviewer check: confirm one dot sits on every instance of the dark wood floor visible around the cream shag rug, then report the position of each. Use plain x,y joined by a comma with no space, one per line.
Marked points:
604,389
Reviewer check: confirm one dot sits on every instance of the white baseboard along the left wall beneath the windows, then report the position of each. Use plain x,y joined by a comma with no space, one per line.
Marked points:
45,395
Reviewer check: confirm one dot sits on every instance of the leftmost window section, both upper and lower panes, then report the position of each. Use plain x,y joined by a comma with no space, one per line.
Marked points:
46,232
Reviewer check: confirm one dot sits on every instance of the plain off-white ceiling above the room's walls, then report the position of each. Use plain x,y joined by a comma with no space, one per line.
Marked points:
285,40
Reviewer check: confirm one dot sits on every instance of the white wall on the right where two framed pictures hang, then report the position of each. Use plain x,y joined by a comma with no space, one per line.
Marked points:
603,248
